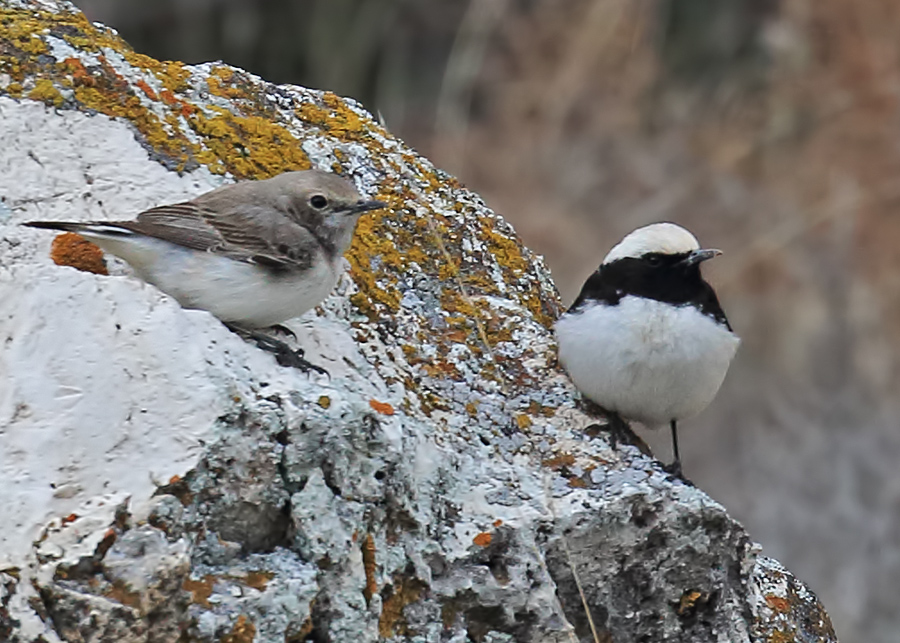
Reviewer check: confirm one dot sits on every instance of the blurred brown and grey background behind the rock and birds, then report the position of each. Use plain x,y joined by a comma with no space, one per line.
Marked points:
770,128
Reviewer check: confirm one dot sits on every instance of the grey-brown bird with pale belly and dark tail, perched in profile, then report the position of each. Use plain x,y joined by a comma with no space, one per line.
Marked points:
254,253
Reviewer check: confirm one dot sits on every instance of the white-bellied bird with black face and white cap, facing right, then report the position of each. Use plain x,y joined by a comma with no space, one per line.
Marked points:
647,339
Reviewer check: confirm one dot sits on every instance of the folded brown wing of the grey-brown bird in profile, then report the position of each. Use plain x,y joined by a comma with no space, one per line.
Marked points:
245,235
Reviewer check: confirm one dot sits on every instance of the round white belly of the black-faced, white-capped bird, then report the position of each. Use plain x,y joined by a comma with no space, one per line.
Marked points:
646,360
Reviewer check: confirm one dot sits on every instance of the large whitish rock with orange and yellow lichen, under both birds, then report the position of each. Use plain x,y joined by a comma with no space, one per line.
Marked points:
166,481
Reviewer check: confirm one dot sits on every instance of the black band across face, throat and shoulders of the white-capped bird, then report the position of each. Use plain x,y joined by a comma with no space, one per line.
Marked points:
655,276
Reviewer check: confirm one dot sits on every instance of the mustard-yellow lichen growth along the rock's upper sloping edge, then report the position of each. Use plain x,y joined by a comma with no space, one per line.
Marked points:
241,134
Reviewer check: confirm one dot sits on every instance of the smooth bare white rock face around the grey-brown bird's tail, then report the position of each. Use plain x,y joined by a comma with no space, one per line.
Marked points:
106,384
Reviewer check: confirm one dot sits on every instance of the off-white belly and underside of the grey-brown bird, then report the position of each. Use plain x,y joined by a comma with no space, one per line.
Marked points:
233,291
